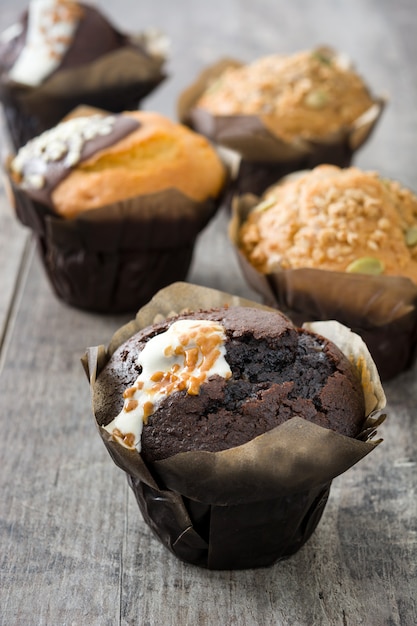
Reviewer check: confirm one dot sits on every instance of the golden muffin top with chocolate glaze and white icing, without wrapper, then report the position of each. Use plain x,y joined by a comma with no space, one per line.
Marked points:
92,161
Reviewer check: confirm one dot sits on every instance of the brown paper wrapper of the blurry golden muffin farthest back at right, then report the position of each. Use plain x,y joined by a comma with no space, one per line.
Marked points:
262,156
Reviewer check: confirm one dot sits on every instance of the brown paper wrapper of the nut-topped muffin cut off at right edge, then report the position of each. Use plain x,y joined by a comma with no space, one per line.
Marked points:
381,309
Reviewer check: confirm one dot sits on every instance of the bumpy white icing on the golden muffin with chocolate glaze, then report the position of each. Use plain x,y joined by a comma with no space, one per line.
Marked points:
63,142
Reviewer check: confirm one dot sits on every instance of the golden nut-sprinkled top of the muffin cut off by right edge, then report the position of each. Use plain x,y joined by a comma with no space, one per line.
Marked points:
334,219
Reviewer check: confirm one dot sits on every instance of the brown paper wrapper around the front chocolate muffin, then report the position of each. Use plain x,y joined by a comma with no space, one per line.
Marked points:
254,504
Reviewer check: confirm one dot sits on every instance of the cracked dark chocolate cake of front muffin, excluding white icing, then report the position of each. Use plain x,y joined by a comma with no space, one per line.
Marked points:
278,372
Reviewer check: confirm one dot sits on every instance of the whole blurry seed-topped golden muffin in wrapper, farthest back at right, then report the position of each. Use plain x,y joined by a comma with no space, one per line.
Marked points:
283,113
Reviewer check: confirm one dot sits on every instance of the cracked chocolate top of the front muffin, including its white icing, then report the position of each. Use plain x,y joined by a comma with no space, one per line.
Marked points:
229,375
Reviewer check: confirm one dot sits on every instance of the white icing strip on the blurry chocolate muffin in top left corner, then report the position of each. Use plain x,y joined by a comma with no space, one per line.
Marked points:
51,27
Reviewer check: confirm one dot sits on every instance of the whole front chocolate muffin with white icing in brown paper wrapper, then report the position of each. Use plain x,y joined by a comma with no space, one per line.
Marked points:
230,422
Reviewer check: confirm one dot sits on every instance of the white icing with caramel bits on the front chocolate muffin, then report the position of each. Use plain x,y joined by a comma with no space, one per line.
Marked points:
186,355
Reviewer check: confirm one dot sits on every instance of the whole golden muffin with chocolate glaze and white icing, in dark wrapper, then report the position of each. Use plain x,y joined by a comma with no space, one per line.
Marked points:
116,202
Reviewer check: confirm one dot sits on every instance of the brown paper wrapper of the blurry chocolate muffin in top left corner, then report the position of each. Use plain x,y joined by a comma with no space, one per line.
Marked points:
117,81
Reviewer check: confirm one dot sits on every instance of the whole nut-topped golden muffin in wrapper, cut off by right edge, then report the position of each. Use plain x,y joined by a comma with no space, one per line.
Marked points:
338,244
